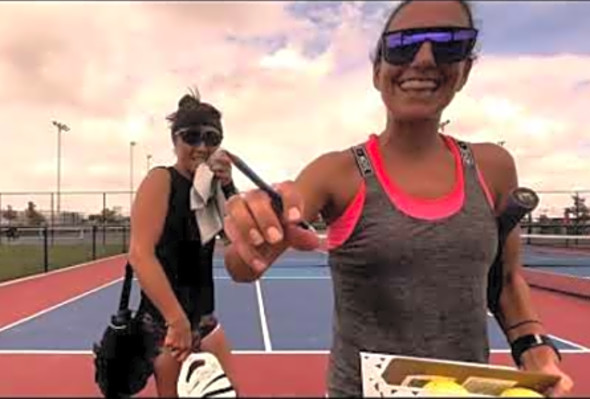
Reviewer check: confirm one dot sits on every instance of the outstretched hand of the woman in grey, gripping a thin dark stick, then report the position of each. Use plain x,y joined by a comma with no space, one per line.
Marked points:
258,235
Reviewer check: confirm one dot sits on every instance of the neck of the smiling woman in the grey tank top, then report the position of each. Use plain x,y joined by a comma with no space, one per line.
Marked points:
411,139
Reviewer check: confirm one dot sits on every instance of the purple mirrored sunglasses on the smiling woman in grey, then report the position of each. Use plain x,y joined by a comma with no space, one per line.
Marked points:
449,44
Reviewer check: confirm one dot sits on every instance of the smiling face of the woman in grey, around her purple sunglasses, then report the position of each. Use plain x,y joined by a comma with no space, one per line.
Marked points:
422,88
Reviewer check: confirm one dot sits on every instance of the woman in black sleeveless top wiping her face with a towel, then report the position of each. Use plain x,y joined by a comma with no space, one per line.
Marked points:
175,271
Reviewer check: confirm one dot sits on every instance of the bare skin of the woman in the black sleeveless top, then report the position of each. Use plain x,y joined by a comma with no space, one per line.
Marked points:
147,221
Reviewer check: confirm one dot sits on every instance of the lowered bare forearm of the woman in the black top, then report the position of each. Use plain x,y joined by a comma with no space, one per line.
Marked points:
156,286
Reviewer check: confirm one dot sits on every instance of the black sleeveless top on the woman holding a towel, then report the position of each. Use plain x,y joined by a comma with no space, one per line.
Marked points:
188,264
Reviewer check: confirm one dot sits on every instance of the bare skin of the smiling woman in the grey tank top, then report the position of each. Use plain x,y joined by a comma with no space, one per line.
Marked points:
416,156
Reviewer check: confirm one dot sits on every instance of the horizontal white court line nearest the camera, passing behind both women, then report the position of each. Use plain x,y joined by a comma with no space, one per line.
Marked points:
235,352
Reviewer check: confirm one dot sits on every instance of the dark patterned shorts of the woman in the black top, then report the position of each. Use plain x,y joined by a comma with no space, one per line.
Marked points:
157,329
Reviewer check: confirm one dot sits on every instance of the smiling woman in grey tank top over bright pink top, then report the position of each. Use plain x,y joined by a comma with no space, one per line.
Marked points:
411,216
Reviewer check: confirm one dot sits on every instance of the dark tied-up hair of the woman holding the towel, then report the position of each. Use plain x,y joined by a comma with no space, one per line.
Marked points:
192,112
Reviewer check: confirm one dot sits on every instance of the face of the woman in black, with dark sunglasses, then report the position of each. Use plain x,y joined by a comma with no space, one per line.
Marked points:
192,150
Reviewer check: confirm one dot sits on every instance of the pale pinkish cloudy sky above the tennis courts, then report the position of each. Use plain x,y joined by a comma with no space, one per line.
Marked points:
293,80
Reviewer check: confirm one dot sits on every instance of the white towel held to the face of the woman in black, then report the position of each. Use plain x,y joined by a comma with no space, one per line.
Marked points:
208,203
